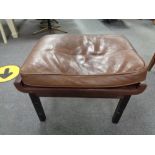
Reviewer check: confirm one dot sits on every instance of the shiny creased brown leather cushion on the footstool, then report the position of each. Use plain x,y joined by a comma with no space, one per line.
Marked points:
85,61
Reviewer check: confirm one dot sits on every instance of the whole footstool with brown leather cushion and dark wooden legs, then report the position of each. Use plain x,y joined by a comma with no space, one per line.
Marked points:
94,66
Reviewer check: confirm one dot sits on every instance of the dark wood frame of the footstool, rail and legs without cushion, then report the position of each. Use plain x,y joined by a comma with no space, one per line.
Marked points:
124,93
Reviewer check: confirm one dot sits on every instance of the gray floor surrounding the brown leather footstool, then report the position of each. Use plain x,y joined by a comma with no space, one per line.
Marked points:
77,115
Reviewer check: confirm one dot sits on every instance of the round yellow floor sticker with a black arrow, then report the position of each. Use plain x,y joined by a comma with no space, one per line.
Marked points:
8,73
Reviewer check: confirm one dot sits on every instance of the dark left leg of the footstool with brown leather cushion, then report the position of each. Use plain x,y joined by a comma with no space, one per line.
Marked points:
38,106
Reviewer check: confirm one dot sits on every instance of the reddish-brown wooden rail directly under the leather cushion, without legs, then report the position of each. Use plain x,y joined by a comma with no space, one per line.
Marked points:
80,92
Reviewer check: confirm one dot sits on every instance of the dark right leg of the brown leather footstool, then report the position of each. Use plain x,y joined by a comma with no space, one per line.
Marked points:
120,108
